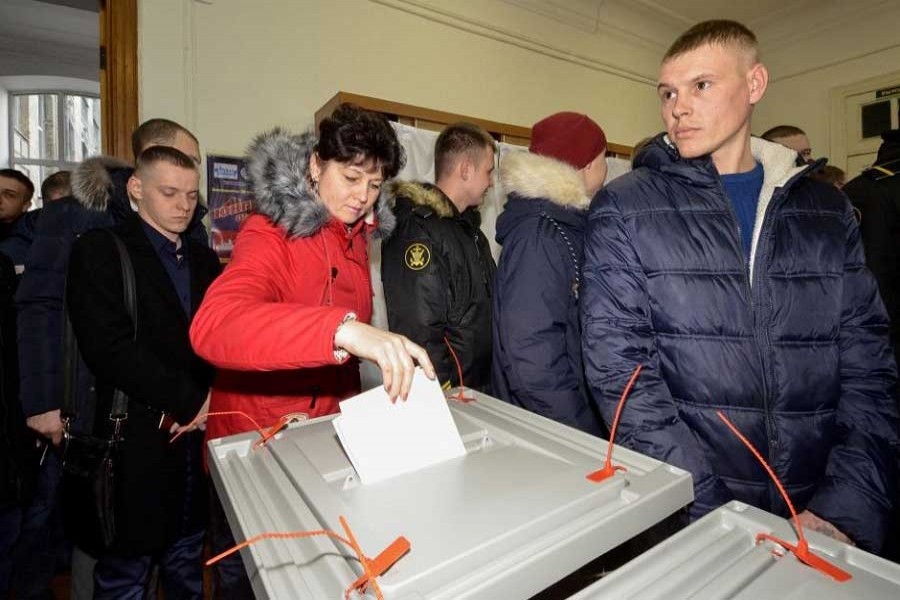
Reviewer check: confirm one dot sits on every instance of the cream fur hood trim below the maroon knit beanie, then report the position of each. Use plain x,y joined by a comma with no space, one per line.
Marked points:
534,176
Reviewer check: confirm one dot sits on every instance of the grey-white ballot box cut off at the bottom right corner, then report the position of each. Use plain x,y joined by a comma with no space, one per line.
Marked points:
718,557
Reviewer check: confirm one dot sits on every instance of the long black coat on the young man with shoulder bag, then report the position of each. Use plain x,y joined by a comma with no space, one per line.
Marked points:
159,372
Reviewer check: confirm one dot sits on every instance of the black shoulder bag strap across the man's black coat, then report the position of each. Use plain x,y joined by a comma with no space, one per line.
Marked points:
119,408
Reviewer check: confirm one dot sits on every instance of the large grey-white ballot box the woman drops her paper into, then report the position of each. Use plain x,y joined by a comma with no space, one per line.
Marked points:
512,516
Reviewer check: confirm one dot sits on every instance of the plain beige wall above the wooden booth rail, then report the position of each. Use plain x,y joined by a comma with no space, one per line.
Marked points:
232,68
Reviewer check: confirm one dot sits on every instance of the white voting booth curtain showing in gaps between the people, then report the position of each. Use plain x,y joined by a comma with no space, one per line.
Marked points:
419,147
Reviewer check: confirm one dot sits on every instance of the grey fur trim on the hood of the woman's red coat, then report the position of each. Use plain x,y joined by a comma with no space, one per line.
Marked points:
279,169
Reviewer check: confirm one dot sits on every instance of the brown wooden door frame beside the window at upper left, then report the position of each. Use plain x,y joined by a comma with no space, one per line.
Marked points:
118,75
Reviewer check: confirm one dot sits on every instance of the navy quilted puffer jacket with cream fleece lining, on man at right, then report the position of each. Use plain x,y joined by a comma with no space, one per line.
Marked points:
793,347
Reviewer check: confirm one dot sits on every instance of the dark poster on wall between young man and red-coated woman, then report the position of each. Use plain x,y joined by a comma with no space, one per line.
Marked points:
230,199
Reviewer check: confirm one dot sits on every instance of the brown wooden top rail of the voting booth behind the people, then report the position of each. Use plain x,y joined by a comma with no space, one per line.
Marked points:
436,120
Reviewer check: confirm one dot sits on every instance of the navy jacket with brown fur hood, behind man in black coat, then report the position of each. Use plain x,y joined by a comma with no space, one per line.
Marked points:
99,200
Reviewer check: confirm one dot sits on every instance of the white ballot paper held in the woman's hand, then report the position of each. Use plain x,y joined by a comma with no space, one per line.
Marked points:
383,440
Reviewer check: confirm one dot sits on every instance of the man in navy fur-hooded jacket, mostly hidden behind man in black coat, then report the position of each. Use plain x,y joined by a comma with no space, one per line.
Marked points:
99,199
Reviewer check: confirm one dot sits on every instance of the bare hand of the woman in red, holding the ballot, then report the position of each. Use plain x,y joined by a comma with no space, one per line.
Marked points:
394,355
